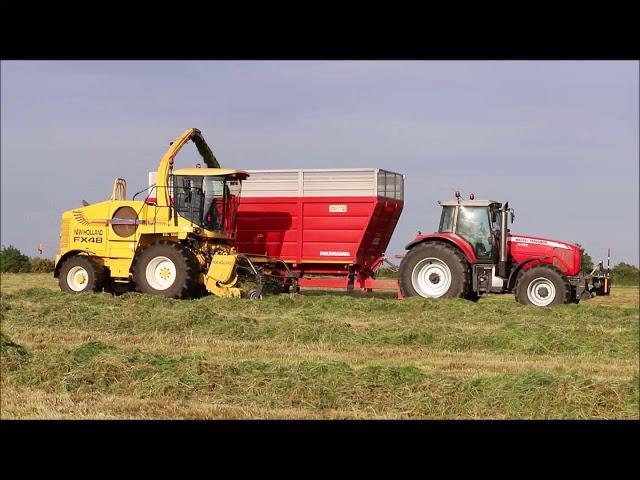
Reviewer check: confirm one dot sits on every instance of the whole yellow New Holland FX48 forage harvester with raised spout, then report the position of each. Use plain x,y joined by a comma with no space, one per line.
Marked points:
176,242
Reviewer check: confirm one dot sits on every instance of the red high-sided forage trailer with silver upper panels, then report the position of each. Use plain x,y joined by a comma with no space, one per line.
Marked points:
322,222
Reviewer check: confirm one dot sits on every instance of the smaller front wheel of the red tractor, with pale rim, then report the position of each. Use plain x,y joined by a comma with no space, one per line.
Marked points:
534,286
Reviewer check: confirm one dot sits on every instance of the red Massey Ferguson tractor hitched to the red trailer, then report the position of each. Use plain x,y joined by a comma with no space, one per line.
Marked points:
474,253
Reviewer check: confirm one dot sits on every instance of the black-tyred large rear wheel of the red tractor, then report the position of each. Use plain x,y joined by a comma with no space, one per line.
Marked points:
445,253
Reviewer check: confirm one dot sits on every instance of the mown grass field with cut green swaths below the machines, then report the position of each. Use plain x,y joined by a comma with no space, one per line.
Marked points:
316,355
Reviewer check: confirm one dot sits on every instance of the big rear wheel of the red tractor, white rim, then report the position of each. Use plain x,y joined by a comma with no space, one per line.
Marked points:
434,270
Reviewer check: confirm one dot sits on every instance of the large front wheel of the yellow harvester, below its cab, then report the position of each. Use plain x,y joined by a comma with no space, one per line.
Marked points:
183,283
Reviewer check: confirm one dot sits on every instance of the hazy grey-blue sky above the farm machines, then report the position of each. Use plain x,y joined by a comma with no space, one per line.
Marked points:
558,139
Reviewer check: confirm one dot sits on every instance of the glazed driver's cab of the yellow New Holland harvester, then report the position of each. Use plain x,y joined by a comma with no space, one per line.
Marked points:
208,197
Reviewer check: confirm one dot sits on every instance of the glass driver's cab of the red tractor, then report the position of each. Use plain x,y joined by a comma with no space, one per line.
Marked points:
478,222
